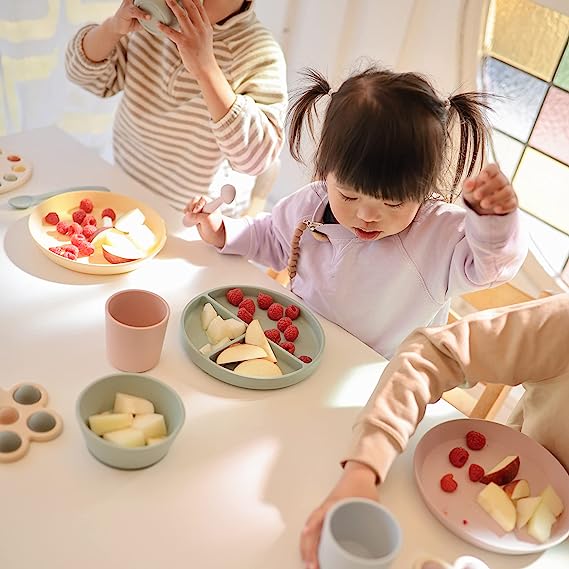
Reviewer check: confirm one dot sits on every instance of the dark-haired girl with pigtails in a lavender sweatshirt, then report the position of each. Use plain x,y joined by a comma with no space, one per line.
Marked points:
386,248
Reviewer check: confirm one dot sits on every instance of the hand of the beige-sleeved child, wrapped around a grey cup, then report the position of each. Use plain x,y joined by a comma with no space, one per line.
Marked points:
358,481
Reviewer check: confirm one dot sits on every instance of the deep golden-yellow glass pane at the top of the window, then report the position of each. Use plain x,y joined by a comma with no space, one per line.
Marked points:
526,35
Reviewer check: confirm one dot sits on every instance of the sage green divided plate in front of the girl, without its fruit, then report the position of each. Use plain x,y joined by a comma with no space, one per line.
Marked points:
310,341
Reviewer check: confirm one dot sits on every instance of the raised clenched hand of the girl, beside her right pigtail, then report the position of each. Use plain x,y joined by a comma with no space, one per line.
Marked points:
490,193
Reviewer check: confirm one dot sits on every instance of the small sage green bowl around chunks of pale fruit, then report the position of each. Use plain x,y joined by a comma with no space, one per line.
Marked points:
99,396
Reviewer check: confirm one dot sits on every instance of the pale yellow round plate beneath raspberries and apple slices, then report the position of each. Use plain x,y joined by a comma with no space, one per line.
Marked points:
64,205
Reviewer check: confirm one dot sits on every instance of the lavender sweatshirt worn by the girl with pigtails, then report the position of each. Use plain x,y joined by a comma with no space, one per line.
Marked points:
380,291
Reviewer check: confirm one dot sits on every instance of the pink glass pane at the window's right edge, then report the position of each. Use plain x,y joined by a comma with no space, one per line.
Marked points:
551,131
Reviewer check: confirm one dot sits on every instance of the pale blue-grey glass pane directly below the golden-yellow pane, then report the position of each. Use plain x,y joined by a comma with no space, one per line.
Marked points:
520,97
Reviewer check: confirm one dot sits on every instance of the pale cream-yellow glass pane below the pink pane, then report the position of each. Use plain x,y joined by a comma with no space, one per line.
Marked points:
542,185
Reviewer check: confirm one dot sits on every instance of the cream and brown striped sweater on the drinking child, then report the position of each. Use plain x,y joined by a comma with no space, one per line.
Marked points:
163,135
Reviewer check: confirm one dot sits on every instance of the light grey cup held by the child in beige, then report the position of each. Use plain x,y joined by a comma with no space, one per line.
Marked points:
359,533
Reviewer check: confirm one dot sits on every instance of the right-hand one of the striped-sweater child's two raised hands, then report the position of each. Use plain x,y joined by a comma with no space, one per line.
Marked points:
195,38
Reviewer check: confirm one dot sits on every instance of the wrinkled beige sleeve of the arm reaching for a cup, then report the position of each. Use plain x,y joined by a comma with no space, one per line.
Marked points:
522,343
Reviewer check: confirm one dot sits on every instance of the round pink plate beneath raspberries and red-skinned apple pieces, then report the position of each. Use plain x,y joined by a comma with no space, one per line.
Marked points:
459,511
